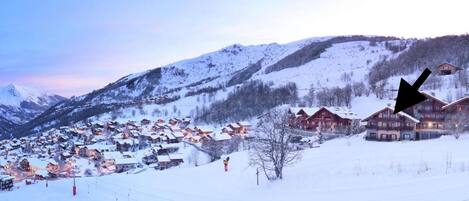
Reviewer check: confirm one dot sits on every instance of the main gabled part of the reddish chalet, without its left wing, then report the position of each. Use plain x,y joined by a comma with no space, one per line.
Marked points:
331,119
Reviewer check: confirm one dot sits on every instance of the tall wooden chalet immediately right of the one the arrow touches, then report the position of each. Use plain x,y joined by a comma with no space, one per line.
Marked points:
431,117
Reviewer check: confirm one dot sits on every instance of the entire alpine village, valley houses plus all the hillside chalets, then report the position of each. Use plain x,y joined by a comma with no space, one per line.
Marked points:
100,148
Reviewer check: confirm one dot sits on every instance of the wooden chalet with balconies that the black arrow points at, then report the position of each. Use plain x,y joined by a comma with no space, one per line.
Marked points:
386,126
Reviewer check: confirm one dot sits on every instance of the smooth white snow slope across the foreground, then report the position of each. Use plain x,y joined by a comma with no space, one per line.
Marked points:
341,169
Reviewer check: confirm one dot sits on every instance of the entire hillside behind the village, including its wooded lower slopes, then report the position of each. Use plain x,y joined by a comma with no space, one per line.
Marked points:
196,86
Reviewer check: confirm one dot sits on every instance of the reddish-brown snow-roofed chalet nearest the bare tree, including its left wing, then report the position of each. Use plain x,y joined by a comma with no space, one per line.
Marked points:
324,119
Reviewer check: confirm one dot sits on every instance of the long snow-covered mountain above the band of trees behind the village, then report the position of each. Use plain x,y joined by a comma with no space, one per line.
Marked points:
185,87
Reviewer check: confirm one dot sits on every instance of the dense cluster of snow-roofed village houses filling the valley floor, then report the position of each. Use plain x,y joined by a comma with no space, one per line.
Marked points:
109,147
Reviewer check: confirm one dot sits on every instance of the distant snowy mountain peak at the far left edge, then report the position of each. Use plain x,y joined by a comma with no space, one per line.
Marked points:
19,104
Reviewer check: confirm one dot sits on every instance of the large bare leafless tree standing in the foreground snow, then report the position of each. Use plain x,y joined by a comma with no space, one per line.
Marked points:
271,148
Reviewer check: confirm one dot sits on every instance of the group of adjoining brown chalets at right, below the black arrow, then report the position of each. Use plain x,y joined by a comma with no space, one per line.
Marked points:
429,119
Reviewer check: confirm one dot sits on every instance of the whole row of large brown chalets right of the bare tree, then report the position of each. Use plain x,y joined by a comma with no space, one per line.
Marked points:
431,118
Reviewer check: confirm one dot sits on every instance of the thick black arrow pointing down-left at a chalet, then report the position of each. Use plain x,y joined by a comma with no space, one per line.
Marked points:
409,95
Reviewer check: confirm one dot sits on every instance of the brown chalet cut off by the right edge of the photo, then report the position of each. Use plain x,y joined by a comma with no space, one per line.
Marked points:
458,114
